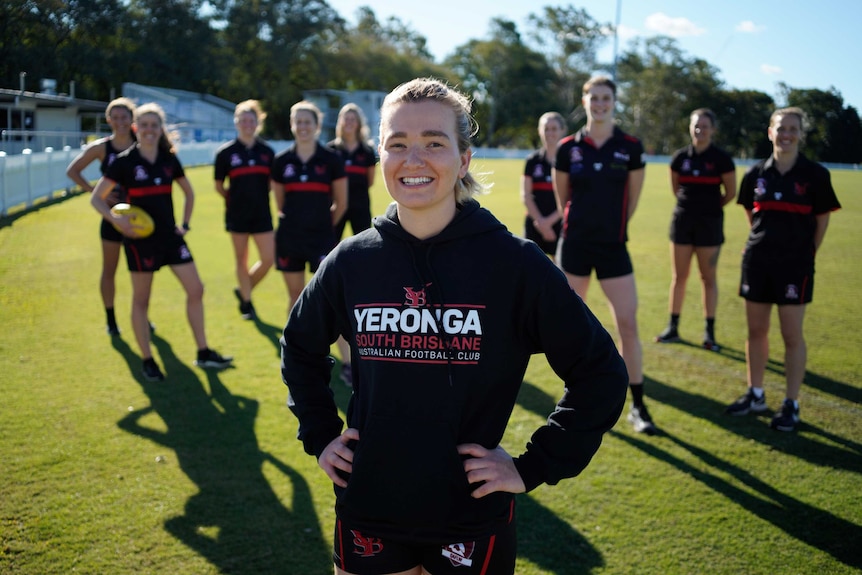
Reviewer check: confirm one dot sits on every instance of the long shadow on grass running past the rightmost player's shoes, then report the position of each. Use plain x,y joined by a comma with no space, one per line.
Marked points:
757,428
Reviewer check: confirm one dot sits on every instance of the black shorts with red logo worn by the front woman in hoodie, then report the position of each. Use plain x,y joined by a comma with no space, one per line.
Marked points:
362,553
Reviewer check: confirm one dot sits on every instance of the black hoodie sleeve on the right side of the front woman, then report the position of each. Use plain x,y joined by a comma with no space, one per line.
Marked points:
584,356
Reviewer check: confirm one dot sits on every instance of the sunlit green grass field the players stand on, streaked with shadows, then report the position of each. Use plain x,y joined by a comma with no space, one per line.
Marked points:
103,473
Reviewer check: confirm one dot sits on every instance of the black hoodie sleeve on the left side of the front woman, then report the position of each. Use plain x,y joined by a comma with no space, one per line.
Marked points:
306,366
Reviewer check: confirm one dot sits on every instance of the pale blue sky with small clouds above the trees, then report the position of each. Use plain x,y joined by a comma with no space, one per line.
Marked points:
755,43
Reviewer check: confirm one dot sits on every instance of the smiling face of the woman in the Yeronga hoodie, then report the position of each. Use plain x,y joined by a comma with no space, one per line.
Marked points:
419,157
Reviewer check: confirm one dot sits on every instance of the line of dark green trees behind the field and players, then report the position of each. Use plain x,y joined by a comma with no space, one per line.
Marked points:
272,50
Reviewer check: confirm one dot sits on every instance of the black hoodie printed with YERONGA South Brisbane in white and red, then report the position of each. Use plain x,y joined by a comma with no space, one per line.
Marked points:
441,332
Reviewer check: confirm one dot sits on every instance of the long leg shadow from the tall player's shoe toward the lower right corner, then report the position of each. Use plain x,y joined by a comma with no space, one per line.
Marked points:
810,525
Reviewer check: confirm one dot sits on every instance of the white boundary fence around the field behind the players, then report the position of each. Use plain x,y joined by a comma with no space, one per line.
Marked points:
34,176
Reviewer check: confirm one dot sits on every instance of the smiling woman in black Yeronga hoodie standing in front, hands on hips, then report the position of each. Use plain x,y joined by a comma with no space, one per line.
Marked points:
443,308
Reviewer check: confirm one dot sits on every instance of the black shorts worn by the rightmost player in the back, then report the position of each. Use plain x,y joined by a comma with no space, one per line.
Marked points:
778,283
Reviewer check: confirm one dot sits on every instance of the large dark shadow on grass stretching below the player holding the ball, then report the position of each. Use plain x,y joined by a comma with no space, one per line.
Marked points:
235,521
